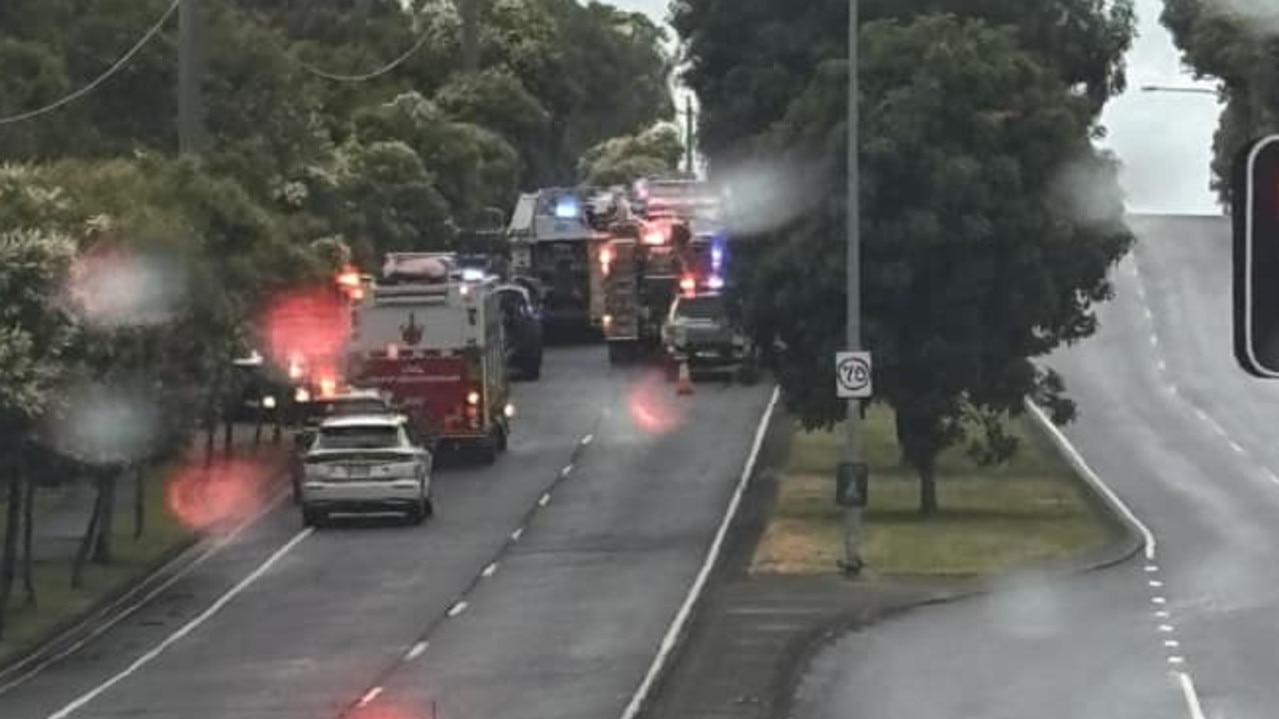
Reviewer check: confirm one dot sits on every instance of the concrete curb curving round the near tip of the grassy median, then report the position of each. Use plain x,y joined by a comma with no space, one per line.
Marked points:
1131,542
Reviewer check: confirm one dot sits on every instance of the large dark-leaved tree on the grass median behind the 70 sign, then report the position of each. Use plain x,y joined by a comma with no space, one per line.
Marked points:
989,226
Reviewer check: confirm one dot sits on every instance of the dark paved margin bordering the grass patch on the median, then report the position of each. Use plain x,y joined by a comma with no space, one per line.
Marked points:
753,636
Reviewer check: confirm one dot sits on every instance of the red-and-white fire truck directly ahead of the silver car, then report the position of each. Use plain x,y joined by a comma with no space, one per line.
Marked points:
434,342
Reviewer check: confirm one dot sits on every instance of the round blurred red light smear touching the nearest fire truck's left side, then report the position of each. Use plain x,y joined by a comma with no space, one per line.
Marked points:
309,323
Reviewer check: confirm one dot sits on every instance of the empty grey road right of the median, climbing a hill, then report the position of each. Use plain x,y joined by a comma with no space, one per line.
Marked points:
1185,439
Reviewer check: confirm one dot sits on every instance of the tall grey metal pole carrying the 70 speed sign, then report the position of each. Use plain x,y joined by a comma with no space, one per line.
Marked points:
854,329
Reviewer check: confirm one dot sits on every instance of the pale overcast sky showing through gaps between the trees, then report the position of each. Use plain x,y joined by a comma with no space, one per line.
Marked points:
1163,139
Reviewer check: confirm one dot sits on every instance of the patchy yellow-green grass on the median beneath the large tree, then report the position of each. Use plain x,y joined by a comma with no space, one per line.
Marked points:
992,519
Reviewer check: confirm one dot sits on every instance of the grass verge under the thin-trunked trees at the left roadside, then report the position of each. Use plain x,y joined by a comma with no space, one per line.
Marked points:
58,603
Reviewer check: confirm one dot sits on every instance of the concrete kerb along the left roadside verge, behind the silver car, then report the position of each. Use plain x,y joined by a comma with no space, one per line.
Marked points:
67,636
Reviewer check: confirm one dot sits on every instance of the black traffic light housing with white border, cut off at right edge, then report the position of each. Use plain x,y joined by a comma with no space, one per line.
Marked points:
1255,221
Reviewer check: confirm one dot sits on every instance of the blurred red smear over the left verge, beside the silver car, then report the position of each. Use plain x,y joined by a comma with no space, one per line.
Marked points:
227,492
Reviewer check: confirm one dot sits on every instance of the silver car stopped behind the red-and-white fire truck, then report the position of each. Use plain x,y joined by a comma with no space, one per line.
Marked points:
366,464
